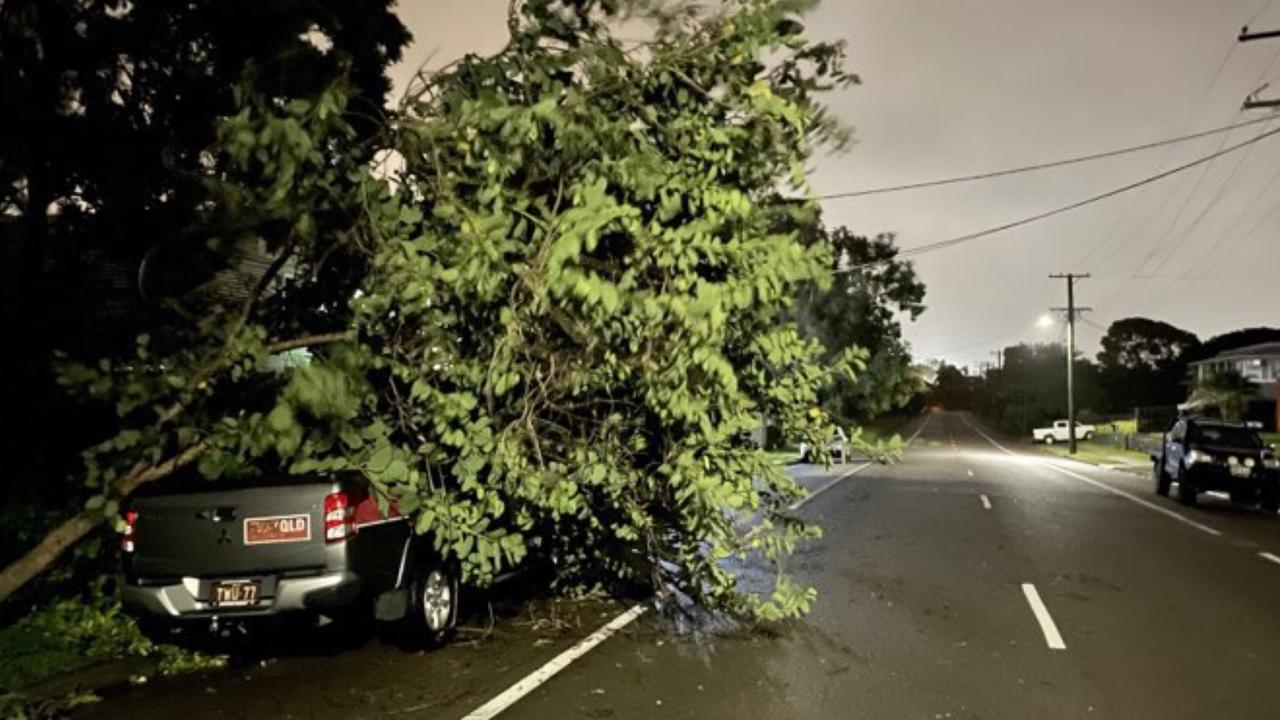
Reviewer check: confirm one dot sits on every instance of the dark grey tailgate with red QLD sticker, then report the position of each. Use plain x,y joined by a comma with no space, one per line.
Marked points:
236,532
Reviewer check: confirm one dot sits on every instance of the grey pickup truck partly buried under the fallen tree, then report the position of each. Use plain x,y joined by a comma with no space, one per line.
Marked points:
216,555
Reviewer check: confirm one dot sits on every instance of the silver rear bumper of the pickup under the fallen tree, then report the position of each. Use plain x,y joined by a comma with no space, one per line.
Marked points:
189,599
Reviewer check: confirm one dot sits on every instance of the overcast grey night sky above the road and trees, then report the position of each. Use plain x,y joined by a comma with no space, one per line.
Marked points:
962,86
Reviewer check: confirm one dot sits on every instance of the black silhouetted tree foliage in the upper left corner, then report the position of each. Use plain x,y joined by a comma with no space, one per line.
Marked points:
108,217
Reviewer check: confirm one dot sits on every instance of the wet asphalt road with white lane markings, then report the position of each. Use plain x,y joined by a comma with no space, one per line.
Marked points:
930,576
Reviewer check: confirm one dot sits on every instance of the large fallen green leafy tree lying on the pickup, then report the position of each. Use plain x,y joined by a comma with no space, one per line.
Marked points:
552,311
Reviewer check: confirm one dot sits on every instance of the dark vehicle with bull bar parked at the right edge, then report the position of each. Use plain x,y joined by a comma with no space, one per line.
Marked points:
1210,455
